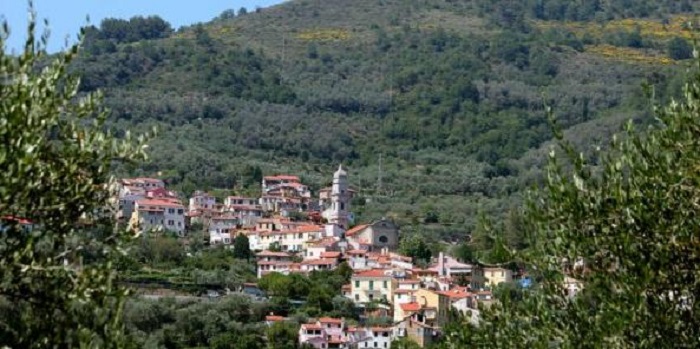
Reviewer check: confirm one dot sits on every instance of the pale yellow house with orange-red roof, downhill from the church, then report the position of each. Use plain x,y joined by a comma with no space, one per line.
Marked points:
372,285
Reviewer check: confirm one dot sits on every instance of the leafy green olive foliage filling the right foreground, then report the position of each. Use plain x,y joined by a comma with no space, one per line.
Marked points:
632,219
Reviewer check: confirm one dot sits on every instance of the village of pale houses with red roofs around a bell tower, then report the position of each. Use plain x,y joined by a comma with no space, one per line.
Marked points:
420,301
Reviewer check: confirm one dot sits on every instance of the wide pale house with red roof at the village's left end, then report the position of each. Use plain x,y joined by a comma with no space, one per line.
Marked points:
158,214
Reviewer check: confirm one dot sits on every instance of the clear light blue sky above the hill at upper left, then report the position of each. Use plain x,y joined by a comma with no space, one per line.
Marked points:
67,16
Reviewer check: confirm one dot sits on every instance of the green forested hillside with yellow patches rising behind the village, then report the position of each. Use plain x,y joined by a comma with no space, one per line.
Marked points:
436,107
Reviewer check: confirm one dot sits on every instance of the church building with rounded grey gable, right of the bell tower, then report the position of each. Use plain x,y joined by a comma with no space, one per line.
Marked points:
374,236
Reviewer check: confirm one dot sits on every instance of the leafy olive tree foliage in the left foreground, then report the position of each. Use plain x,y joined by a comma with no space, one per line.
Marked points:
57,283
